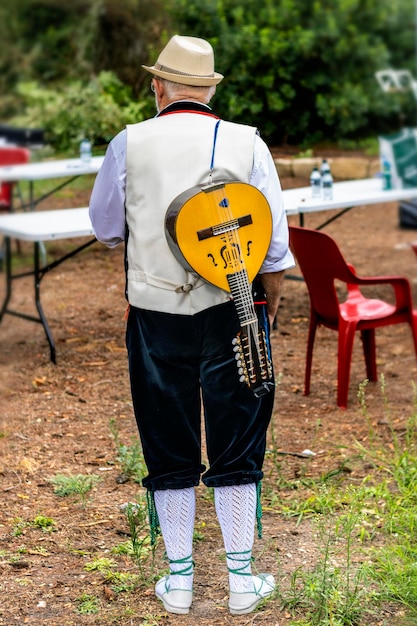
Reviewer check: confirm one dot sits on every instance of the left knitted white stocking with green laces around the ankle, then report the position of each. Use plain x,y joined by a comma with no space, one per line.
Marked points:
176,512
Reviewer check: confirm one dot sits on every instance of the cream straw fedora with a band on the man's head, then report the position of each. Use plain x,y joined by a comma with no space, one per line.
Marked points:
186,60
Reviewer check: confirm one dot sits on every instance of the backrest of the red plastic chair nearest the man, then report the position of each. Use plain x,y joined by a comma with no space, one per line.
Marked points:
321,263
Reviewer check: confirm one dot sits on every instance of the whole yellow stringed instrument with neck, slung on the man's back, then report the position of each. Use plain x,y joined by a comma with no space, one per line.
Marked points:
222,232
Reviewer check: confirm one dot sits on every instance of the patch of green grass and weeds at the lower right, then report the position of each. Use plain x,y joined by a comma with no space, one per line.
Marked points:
365,533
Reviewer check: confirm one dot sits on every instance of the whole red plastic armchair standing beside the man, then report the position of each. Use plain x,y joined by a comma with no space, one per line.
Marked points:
321,264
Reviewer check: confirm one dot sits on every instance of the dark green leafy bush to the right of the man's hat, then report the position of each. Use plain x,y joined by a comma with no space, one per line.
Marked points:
301,71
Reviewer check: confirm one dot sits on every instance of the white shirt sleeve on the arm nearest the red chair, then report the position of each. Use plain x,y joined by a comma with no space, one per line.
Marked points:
265,178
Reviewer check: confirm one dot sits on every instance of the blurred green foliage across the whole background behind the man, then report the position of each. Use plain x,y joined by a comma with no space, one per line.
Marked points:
302,72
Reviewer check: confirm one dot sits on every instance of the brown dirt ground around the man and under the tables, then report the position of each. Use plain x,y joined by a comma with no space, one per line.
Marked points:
56,419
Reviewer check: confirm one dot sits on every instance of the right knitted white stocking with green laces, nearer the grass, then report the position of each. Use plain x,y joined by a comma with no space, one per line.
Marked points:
236,511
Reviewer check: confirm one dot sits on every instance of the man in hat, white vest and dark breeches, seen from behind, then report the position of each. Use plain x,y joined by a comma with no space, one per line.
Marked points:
180,328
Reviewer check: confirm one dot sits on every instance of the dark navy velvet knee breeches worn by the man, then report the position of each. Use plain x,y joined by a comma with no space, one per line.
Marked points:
178,366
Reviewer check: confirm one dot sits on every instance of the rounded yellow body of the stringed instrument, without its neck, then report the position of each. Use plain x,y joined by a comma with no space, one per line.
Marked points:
220,229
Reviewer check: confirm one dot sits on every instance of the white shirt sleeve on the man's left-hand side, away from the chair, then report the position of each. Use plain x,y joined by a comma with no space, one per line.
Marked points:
107,202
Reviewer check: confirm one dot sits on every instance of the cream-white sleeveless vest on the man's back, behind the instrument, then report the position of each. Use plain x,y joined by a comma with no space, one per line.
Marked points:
165,156
